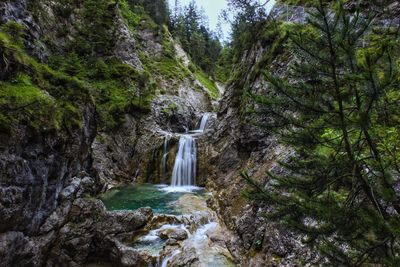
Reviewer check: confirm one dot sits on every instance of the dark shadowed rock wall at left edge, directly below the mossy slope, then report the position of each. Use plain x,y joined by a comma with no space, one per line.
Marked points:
34,168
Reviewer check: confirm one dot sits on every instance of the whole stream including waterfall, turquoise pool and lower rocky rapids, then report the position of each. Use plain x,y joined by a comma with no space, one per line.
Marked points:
184,229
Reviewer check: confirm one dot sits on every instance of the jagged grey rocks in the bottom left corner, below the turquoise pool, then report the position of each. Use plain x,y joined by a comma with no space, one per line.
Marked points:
77,232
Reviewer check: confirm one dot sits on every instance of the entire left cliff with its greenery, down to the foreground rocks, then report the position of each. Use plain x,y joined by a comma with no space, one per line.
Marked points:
52,161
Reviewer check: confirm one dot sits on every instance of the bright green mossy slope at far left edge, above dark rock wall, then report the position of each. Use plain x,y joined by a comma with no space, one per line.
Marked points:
32,93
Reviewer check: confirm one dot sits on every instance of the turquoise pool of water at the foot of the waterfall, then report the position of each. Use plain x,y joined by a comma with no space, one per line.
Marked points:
160,198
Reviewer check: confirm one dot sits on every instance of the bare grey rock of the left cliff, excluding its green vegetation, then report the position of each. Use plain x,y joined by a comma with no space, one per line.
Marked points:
48,177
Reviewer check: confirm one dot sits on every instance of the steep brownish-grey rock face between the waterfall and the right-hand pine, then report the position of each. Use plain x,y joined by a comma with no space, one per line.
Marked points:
236,146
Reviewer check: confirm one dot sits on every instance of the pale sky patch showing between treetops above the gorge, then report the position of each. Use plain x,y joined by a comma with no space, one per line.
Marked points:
213,9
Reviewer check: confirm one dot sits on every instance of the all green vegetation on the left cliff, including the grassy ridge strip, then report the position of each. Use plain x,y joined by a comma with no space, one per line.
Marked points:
82,69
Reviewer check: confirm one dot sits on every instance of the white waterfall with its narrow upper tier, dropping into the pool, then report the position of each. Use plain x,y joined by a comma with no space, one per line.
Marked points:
184,172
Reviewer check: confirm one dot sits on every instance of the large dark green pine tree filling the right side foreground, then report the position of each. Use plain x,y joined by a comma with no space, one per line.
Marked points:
338,109
